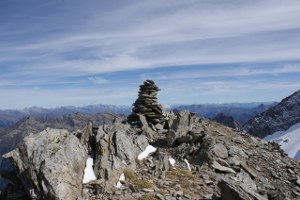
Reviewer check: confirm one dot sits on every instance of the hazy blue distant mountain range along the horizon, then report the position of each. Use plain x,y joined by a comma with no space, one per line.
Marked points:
241,112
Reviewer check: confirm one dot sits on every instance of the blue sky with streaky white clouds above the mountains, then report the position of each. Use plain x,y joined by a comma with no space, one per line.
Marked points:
75,52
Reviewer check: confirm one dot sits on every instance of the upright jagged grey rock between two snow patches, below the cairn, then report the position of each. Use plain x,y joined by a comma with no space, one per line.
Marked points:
116,151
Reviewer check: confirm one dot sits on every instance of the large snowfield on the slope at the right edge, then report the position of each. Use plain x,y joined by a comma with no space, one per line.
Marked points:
288,140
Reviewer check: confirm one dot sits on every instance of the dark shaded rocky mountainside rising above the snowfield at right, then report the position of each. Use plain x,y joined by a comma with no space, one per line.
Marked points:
278,118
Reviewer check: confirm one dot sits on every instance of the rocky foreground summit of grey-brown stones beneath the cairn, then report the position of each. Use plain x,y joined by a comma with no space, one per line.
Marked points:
192,158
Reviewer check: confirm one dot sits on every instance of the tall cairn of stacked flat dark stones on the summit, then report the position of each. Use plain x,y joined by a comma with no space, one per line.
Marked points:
147,105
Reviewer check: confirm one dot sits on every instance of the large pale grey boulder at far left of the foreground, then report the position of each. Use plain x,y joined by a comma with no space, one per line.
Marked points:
51,164
